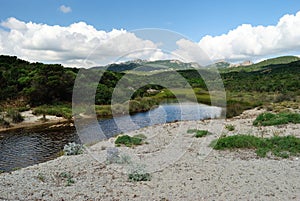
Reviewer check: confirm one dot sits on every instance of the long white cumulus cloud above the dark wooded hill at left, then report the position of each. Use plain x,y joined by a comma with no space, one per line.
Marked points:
78,44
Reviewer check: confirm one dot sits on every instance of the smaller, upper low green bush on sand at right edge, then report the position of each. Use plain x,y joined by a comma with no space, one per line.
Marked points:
269,119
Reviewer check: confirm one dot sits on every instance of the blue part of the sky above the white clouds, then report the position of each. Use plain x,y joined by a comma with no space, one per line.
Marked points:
193,19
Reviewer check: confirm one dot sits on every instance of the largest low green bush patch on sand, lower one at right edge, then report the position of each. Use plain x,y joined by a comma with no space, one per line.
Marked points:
279,146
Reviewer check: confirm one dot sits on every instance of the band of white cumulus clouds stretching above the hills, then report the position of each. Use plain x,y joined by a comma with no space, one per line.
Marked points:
81,45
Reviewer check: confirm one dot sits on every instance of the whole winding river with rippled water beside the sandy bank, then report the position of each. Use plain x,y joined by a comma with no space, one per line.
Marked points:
24,147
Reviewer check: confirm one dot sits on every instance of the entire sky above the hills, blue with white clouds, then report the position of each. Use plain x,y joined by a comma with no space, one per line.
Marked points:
97,32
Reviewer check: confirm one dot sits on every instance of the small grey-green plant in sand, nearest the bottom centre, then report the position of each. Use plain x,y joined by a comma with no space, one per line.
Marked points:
138,173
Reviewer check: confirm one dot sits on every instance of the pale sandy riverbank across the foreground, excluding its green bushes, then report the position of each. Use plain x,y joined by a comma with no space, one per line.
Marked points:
194,171
